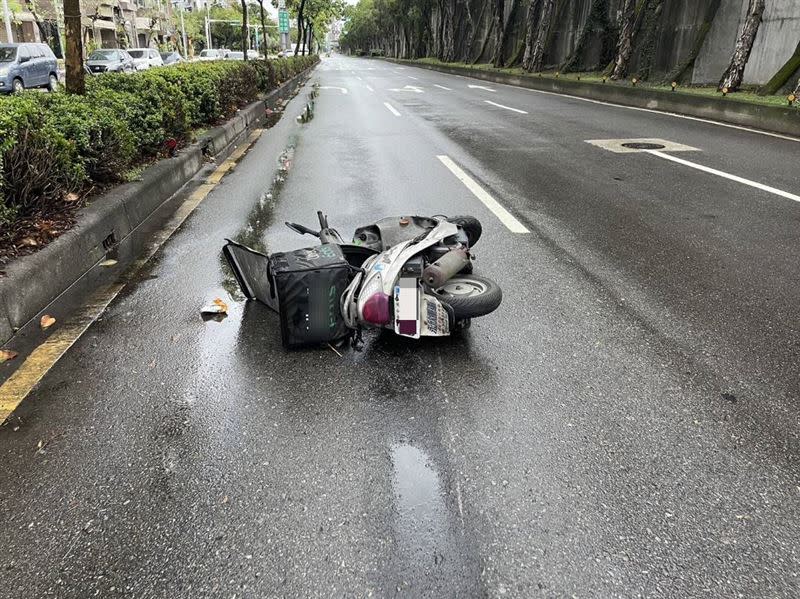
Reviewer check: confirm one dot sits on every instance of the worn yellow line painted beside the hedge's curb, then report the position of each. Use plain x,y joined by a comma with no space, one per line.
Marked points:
44,357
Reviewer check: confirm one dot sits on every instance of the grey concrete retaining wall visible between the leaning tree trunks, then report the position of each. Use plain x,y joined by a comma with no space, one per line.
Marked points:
678,28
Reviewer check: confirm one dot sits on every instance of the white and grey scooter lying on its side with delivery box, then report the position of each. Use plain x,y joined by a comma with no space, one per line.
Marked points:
412,275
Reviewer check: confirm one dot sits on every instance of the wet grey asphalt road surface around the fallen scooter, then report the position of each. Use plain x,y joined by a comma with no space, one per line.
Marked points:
625,425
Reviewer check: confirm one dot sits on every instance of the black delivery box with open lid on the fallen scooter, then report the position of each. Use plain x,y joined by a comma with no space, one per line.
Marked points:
303,286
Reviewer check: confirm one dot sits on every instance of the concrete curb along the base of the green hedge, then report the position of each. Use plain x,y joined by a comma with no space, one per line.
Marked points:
33,281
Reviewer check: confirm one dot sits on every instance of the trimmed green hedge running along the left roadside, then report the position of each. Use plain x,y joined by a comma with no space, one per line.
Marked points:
54,144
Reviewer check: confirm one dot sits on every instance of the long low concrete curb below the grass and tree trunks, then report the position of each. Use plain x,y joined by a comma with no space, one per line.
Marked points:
776,119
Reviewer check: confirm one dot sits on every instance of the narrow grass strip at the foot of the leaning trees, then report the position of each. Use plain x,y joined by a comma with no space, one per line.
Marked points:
747,95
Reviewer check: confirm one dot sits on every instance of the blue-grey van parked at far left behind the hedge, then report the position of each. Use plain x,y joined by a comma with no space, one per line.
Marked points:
27,65
